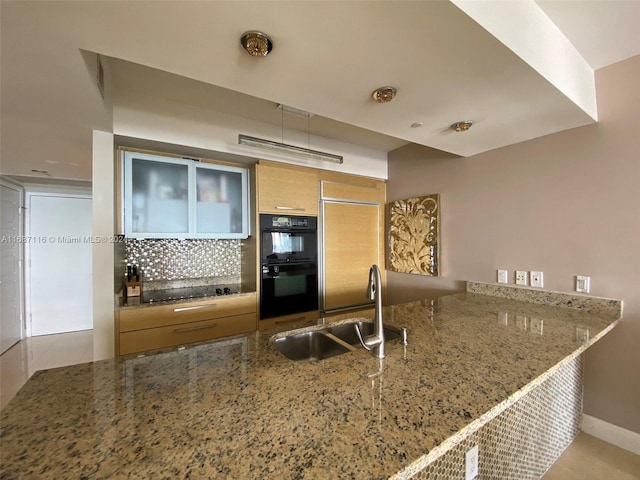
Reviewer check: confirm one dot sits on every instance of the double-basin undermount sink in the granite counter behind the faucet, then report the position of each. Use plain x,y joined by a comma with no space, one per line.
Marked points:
327,342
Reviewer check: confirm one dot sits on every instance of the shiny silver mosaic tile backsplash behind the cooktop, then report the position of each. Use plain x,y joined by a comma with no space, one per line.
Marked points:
171,259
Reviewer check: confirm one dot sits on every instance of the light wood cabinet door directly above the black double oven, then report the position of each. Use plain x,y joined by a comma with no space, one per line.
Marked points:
283,189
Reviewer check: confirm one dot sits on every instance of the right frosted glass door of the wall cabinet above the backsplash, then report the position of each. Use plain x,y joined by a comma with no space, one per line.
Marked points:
220,205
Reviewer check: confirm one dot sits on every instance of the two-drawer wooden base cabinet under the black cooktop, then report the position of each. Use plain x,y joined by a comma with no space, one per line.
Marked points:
153,327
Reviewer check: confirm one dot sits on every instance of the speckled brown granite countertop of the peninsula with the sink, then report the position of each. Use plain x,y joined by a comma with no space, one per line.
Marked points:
236,408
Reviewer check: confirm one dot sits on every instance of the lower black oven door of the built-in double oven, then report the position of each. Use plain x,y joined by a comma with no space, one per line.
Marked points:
288,289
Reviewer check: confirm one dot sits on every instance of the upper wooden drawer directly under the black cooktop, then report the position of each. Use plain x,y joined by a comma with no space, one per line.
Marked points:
178,313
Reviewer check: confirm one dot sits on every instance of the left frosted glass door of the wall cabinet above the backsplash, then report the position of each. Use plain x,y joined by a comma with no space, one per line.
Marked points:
158,203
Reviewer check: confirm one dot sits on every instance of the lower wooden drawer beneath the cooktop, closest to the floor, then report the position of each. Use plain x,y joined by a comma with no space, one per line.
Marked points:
170,336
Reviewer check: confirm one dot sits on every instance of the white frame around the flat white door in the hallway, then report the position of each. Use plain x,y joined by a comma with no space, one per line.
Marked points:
75,192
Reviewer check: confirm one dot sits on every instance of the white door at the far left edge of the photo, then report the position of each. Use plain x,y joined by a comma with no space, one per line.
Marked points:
10,257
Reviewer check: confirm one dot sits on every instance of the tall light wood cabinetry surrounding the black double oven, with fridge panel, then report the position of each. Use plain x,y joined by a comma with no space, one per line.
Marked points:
350,210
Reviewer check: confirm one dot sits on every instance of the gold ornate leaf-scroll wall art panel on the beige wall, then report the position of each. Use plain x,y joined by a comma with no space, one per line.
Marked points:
414,231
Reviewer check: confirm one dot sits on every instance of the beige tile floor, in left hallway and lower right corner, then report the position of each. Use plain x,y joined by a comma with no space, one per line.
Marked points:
587,458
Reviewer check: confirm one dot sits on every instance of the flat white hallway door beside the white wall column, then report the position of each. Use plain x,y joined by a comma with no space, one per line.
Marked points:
60,269
